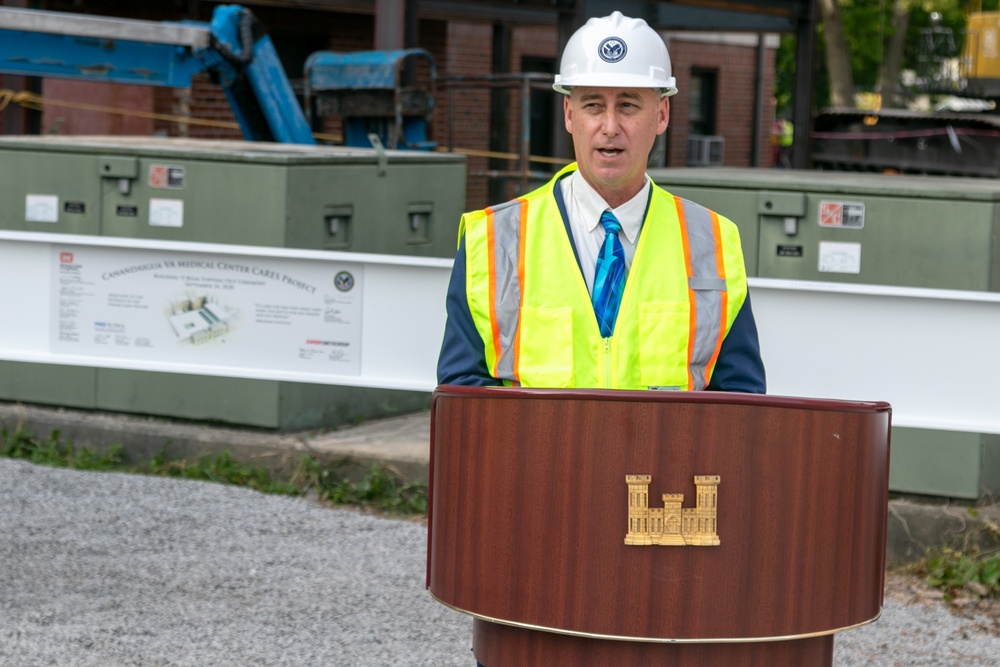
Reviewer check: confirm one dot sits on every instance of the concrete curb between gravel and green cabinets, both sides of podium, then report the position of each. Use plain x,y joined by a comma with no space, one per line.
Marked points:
400,444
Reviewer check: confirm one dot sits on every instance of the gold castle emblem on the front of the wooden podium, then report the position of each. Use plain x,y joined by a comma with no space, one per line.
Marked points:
673,525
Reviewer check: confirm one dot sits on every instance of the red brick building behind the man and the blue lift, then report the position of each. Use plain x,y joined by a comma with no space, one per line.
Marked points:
725,81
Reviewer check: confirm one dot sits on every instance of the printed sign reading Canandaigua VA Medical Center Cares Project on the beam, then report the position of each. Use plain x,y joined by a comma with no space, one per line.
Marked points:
218,309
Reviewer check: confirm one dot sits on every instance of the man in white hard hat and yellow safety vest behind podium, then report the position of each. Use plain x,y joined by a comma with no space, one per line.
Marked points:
601,278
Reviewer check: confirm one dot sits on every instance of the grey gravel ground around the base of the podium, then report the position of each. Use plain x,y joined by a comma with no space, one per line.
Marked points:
108,570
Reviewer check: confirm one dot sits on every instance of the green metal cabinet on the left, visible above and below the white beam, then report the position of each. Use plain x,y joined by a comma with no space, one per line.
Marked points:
272,195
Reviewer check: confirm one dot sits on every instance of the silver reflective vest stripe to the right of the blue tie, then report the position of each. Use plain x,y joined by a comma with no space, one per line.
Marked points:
707,285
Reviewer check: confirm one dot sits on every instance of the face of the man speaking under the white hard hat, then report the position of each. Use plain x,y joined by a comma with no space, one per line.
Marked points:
613,131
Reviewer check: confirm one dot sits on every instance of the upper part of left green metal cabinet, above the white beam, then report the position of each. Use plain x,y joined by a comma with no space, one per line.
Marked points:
274,195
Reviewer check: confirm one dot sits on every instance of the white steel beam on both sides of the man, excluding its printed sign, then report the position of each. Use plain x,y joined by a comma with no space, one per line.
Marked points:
933,354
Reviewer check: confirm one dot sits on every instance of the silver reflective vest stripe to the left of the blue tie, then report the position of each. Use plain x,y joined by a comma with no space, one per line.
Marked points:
507,242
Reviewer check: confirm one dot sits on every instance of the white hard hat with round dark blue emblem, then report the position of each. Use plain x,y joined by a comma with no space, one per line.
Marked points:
616,52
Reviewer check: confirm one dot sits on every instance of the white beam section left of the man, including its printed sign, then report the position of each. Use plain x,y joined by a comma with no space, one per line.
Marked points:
351,319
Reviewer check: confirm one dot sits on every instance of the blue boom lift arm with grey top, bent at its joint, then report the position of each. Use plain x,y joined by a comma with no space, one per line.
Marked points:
233,48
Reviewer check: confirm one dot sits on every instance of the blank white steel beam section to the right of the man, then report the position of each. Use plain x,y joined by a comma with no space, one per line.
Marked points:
933,354
